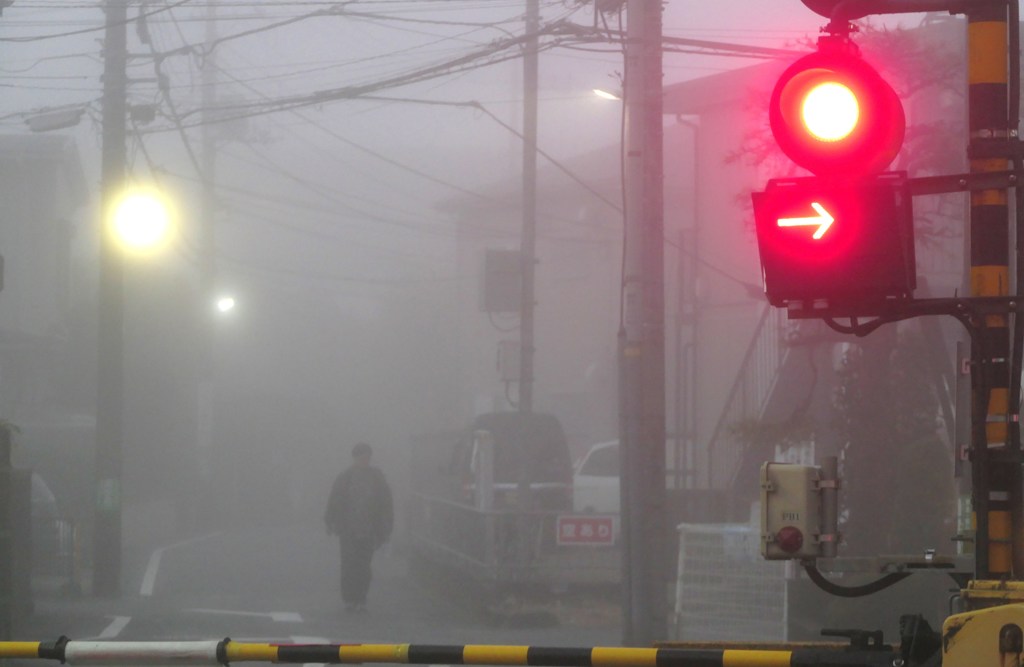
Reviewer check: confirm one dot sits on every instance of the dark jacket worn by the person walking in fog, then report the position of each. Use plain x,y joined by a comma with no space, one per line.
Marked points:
360,507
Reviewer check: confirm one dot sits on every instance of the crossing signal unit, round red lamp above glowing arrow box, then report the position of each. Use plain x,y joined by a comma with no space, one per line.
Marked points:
845,237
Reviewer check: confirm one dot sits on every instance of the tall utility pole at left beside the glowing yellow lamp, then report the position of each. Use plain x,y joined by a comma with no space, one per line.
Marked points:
110,398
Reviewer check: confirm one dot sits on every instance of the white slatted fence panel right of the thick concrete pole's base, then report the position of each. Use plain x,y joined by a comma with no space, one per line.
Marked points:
724,591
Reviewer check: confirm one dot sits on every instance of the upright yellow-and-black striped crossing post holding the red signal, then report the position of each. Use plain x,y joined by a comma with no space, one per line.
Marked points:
996,480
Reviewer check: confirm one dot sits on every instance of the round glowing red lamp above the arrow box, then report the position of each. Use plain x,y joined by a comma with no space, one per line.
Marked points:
833,114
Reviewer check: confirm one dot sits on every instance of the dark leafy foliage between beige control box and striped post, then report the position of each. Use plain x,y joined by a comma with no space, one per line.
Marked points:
899,490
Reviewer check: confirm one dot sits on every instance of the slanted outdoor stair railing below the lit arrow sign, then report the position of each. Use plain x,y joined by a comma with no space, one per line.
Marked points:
748,394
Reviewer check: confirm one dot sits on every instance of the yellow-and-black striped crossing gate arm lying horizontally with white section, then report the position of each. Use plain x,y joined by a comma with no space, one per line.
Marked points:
226,652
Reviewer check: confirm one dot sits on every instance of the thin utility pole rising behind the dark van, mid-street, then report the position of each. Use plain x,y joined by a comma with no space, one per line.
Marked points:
528,248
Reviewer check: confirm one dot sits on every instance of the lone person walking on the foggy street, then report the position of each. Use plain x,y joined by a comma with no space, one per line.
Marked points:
360,513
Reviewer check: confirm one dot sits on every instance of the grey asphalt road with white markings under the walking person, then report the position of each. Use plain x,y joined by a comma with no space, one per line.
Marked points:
281,583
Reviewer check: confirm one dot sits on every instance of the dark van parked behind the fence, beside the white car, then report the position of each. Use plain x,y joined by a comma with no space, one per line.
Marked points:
531,467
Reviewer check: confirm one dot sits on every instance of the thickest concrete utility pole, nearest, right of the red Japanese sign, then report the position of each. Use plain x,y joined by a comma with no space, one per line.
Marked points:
643,338
